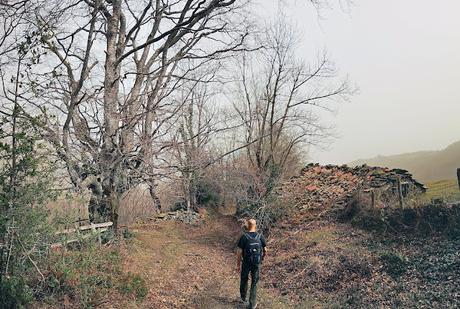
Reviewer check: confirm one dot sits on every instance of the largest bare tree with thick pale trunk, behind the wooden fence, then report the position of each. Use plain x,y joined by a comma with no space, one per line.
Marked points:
105,73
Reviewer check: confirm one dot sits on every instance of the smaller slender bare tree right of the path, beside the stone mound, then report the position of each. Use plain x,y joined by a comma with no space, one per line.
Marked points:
278,101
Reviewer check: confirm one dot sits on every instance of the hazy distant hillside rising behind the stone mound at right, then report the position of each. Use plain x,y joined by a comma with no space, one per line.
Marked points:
424,165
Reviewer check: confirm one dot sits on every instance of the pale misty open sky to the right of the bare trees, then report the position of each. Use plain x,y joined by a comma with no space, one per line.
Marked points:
404,55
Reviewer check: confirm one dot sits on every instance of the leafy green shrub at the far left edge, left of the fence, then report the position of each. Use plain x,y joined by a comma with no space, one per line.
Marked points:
25,187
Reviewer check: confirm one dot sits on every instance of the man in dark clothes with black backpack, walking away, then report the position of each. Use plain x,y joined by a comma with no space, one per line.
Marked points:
252,250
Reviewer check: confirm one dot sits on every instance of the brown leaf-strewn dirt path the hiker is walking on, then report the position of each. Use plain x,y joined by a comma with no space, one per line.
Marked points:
190,266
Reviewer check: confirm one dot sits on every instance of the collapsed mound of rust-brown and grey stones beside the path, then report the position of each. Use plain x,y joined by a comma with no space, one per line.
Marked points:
322,186
